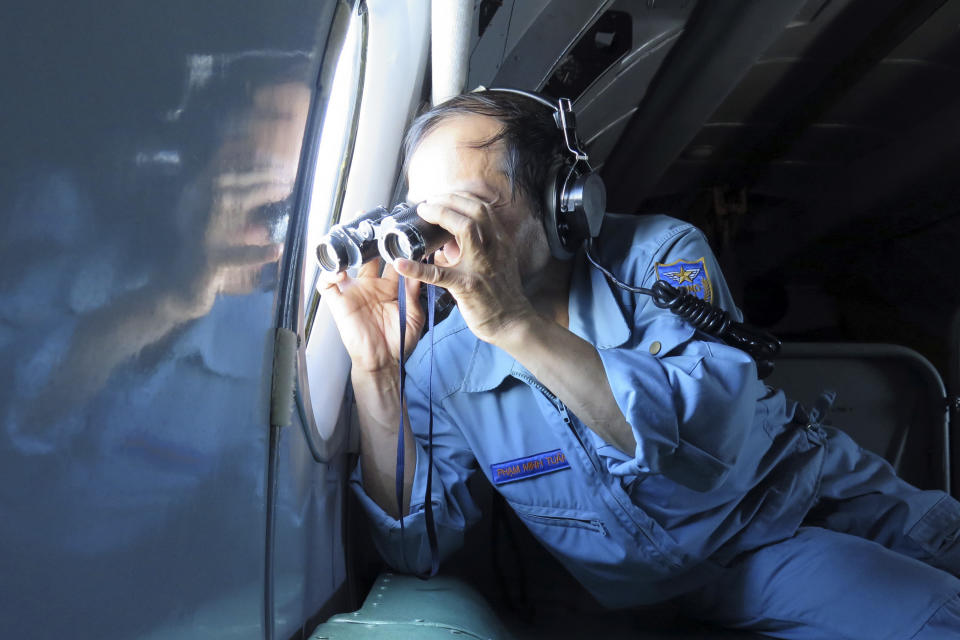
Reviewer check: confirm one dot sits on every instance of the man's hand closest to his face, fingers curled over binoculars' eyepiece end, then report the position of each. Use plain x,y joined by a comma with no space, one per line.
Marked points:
480,266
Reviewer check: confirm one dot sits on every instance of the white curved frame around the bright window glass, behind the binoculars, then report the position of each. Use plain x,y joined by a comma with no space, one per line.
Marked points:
391,89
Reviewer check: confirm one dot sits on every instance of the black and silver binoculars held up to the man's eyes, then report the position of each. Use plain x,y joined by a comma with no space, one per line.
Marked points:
397,233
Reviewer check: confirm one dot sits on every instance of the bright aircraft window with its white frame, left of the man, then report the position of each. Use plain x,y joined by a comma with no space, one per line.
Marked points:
374,92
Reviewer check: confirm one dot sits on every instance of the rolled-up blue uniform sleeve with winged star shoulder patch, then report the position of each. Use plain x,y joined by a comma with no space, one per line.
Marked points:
689,399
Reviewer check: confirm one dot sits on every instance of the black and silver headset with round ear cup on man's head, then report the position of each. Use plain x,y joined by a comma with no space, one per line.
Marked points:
575,198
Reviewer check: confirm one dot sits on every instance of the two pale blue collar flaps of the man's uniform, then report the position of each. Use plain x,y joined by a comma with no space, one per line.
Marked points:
594,315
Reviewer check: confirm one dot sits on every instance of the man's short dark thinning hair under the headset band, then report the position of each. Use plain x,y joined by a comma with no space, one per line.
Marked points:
533,145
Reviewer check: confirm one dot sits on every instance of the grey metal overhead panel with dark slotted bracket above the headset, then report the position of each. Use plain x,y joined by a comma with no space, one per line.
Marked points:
601,54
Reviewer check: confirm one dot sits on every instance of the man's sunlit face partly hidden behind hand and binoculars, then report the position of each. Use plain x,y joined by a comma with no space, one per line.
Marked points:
447,162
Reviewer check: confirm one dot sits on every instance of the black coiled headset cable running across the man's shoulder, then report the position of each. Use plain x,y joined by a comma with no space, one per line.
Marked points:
762,346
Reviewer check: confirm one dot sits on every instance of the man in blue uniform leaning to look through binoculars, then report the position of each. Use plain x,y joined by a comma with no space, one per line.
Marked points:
645,455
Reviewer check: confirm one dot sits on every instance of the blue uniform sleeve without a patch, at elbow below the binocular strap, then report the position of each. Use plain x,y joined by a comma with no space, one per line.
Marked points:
453,507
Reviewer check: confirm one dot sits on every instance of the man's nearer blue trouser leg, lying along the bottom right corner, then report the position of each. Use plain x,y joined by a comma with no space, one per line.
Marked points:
820,584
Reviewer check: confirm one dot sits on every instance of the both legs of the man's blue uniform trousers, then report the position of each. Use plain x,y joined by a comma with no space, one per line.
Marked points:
865,566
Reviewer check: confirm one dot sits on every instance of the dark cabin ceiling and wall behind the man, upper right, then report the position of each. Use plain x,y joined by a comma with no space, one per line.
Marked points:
819,158
